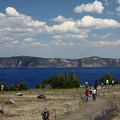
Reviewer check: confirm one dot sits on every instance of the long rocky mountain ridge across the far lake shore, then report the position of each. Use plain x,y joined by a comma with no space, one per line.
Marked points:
37,62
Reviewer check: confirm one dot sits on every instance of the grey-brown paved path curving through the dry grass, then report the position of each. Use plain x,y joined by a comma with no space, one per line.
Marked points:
92,110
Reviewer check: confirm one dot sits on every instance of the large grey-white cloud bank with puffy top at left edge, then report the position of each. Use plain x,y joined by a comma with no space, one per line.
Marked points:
16,25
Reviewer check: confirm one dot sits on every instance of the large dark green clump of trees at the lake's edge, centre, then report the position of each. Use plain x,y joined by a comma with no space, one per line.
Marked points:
62,80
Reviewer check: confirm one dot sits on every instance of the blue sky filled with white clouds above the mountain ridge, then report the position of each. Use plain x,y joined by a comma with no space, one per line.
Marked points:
60,28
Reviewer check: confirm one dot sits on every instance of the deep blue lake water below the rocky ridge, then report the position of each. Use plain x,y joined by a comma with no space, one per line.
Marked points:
32,75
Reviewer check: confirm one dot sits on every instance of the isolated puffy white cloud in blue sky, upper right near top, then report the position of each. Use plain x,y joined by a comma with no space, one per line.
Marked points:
95,7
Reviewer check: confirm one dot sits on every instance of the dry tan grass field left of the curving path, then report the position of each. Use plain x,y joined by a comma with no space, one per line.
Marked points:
29,107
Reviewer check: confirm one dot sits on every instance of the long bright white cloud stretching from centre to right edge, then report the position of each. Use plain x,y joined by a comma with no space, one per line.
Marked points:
86,24
